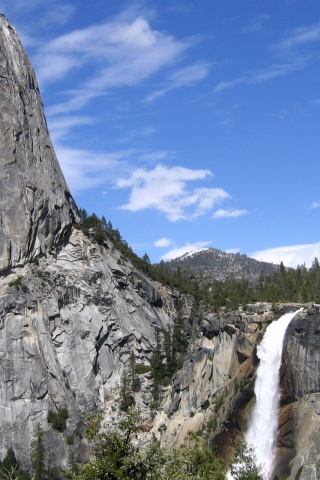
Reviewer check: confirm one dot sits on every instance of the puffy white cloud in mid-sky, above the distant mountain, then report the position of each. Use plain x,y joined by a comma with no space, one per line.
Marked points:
165,189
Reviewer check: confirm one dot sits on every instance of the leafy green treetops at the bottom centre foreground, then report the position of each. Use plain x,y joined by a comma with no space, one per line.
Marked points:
116,456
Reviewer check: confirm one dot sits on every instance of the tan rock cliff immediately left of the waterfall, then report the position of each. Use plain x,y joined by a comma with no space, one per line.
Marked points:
216,371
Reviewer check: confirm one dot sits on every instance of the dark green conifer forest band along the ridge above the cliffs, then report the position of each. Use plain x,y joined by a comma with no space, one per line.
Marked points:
284,284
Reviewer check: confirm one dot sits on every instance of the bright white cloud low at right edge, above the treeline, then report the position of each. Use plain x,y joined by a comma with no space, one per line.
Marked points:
291,256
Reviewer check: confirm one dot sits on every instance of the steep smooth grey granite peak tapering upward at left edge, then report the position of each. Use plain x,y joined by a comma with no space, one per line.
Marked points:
36,208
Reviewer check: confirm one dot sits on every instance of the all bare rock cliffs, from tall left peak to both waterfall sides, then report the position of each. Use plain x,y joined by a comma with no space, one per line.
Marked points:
73,311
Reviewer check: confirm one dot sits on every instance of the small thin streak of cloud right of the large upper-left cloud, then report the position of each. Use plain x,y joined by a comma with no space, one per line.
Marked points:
184,77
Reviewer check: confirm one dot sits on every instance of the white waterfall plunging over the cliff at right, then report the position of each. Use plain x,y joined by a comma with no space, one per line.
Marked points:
263,424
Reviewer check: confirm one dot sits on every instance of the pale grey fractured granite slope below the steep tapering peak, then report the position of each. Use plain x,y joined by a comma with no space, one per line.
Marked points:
68,324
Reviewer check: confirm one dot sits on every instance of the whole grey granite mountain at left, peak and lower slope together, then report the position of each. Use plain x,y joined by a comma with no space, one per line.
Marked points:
71,312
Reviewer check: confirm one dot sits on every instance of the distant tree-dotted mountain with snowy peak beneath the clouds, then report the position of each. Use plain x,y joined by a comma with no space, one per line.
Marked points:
212,264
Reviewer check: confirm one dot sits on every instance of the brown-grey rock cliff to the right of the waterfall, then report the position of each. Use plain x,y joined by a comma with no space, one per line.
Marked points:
298,440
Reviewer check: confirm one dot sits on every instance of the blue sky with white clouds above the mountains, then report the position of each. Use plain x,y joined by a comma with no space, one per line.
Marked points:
187,124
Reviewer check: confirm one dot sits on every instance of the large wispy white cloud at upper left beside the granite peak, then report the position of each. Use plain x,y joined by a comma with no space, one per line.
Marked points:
118,53
